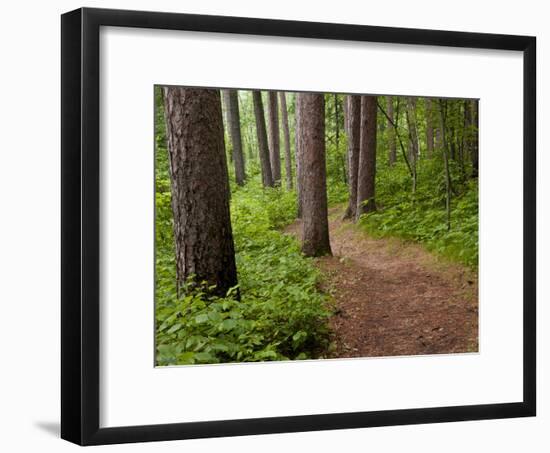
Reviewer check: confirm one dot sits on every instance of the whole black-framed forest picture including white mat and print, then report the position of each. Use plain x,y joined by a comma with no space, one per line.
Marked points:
276,226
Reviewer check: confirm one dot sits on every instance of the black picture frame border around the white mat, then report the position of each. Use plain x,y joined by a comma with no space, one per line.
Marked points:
80,188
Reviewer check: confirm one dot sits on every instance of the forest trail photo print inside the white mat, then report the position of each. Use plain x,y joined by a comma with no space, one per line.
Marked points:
301,225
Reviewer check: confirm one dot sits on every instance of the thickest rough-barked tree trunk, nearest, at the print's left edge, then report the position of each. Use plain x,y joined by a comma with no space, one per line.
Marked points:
200,191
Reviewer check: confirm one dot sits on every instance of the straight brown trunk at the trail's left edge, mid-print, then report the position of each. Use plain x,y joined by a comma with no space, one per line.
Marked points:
311,135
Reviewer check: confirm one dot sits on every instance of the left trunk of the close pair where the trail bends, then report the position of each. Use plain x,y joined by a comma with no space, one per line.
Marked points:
354,136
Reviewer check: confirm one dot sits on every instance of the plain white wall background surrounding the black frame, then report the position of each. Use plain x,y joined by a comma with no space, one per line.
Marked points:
29,238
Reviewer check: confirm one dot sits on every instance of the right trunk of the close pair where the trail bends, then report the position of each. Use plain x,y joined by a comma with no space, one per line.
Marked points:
366,173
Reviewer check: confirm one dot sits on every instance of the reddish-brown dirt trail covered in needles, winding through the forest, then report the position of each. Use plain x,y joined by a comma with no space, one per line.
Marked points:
394,297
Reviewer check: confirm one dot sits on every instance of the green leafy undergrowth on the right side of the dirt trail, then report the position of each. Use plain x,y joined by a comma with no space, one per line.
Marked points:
422,217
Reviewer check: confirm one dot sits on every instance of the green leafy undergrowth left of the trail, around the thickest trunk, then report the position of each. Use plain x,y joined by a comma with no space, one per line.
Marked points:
281,315
